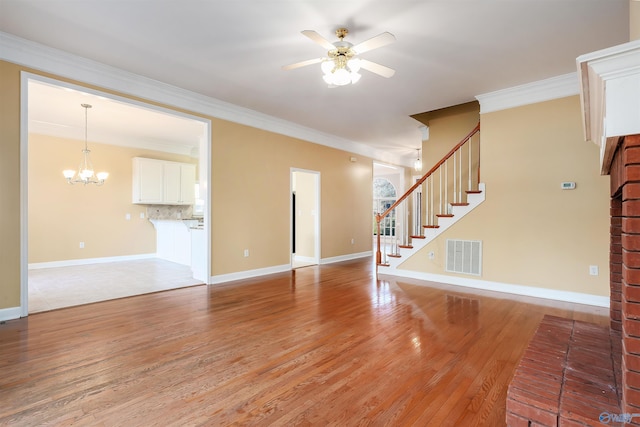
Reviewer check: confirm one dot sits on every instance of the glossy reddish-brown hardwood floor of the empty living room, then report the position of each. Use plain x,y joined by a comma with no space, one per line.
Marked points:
322,345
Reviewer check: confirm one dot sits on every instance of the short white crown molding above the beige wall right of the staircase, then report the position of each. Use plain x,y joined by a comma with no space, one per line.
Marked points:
530,93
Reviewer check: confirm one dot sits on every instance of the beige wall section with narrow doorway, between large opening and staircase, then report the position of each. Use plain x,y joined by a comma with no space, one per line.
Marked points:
251,173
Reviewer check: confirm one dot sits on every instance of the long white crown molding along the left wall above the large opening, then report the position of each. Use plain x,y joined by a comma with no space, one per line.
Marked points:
46,59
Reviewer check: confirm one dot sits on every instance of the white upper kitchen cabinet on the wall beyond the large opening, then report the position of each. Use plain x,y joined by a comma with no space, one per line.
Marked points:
163,182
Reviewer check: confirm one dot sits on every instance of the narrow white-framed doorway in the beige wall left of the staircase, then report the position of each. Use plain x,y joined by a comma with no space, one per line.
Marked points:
305,218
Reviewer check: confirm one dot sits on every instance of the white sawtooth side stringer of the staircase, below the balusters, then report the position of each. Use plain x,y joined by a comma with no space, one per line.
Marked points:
459,212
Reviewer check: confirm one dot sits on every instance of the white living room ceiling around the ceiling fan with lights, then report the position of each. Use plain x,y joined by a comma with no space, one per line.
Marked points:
446,52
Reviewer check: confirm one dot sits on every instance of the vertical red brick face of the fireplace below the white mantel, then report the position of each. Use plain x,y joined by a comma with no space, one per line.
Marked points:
625,267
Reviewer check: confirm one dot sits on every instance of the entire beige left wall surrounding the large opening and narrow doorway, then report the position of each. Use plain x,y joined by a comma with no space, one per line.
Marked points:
249,193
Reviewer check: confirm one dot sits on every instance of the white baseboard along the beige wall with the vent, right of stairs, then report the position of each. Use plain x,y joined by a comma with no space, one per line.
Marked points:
530,291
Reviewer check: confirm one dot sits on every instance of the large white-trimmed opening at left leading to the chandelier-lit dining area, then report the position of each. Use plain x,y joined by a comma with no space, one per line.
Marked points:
84,228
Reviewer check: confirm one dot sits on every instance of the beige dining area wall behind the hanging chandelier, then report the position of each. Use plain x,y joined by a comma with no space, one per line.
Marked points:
62,215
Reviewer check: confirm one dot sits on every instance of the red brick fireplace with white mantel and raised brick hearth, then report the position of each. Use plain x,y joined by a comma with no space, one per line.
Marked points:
603,370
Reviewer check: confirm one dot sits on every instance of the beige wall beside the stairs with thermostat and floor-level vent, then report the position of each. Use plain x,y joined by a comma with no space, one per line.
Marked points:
533,232
